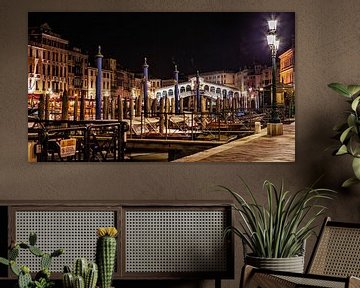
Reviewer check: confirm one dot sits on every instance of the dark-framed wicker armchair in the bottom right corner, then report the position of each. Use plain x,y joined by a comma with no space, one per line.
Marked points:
334,263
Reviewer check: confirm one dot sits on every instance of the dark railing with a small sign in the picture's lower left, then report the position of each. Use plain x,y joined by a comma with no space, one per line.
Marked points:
94,140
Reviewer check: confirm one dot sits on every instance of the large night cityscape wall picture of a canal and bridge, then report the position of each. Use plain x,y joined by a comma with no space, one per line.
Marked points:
161,87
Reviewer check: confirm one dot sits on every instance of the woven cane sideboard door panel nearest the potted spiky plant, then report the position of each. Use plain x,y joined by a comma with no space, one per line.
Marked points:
175,241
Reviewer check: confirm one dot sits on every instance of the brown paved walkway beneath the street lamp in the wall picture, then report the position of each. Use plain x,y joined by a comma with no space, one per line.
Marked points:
255,148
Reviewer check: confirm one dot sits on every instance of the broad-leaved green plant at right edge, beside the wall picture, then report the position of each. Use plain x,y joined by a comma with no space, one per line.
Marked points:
349,132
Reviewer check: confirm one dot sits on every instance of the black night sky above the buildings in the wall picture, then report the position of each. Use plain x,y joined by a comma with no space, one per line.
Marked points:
193,41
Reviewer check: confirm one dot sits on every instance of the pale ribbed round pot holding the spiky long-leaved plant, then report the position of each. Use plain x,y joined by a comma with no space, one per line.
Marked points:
291,264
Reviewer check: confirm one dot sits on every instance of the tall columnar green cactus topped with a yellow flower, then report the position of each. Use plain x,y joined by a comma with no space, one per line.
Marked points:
106,254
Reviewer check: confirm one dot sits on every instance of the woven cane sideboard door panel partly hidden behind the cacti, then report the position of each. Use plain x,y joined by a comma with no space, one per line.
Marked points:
74,231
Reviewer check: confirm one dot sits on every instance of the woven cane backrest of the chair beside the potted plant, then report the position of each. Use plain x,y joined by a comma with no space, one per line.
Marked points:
337,251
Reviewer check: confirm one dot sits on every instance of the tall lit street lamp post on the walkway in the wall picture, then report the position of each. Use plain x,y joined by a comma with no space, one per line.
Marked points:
274,46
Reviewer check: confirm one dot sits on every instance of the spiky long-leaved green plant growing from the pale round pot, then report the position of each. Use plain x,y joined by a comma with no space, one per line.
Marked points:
279,229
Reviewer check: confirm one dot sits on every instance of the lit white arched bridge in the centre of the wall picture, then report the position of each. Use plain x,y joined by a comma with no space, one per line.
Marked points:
211,91
